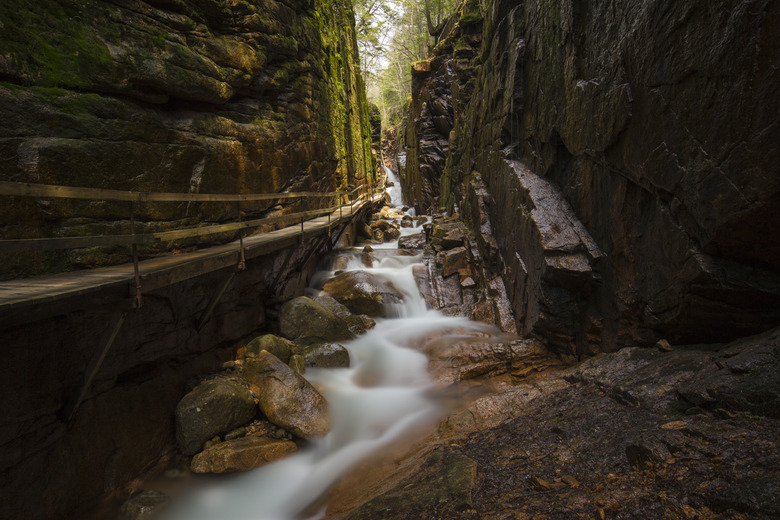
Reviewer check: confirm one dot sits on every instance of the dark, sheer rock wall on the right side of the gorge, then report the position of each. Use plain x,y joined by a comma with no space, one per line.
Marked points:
621,166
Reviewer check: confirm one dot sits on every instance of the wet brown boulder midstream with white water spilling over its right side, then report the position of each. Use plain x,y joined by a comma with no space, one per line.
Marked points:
363,292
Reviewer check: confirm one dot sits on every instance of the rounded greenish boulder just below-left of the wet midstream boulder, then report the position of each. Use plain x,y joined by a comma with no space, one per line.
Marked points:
303,317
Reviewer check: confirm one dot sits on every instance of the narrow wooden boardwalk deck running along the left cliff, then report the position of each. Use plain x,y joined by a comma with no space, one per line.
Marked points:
26,299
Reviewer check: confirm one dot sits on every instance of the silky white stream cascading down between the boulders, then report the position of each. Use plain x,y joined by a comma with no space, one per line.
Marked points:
382,396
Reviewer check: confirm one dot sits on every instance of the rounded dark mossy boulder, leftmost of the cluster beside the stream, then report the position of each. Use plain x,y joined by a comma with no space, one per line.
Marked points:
212,408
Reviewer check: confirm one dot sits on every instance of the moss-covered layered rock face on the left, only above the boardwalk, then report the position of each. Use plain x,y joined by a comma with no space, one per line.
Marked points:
172,96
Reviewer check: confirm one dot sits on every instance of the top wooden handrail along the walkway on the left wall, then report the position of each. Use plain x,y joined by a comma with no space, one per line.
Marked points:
24,189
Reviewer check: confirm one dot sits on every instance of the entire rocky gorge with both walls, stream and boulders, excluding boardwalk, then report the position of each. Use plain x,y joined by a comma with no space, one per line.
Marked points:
575,316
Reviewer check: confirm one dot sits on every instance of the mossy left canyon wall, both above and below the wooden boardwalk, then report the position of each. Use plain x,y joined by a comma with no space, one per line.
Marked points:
209,96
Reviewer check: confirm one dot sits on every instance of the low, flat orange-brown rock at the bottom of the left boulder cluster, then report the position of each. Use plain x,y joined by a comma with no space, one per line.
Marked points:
241,454
